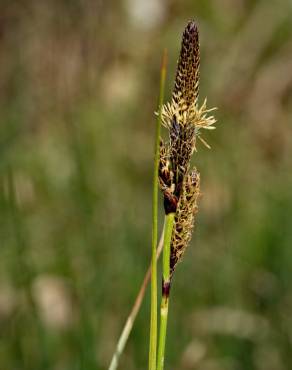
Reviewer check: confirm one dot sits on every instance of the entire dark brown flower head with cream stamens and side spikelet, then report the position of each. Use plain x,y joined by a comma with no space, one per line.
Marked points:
184,120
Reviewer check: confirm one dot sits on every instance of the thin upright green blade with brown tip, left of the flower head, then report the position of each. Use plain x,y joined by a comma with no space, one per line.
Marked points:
153,317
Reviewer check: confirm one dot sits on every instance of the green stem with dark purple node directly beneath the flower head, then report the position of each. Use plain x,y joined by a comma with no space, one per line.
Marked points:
169,221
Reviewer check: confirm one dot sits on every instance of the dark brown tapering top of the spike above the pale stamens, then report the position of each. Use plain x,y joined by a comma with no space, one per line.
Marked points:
186,85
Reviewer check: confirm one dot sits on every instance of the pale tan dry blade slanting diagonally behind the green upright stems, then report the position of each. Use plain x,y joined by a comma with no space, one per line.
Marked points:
132,316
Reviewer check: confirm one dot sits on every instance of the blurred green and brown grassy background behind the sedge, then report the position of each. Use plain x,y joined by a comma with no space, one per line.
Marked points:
78,87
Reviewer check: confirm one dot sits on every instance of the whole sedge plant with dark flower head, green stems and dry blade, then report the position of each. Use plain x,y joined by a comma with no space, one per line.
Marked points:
183,120
